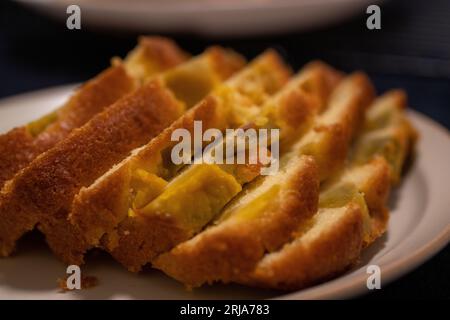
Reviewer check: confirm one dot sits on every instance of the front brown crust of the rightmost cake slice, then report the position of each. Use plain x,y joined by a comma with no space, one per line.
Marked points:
307,261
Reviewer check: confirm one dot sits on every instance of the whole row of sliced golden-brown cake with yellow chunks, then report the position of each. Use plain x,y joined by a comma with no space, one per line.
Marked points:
97,173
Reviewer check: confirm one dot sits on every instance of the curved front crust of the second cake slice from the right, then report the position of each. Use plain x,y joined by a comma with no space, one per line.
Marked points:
225,251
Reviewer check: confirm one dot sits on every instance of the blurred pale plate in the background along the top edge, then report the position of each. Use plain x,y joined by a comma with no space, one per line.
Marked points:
207,17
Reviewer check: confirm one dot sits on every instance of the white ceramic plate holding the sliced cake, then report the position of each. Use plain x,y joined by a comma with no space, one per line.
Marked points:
419,227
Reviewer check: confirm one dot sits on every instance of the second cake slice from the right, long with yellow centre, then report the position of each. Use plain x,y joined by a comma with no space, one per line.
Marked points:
268,213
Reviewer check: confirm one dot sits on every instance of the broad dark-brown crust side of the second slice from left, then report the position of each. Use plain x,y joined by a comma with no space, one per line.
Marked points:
43,191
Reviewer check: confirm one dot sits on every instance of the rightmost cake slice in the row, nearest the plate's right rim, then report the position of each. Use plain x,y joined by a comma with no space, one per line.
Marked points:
352,212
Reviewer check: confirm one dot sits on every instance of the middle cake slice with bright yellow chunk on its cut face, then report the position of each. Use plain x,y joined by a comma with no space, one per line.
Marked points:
134,233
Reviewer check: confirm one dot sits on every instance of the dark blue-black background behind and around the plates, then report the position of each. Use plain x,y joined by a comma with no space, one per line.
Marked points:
411,51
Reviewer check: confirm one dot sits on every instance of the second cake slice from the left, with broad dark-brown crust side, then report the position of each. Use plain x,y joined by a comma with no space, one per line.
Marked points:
43,191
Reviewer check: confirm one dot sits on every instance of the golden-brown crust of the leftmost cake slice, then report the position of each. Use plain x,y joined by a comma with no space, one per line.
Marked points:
19,147
